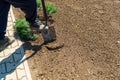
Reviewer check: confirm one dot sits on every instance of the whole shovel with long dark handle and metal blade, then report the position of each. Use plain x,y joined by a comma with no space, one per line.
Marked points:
49,33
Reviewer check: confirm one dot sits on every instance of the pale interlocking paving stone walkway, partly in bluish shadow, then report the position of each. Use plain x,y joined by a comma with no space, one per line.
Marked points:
12,63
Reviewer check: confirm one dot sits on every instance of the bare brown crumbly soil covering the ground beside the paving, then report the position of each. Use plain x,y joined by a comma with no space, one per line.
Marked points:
90,31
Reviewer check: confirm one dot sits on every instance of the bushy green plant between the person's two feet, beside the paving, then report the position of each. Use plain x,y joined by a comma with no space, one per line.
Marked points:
23,29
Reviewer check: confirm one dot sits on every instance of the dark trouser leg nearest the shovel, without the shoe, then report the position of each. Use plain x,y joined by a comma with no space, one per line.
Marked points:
29,7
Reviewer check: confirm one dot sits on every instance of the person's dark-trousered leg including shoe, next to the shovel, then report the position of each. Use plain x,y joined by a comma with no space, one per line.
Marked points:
29,7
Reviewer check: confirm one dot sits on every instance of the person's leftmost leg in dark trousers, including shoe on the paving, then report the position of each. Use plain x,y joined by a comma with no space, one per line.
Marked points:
4,41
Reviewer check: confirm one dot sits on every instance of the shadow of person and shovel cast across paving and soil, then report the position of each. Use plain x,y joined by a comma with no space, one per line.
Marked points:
9,64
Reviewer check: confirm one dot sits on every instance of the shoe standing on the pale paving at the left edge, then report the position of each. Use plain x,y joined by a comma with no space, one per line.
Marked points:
6,42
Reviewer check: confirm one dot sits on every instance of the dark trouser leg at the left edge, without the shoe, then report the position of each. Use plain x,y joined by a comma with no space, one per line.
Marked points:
4,9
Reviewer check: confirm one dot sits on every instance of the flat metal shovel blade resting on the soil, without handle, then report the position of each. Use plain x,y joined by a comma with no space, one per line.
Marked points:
49,34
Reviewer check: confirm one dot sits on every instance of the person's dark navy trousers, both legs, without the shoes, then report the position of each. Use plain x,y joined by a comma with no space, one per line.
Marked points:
29,7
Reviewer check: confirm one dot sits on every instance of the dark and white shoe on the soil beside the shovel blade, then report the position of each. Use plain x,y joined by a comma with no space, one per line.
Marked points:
37,26
